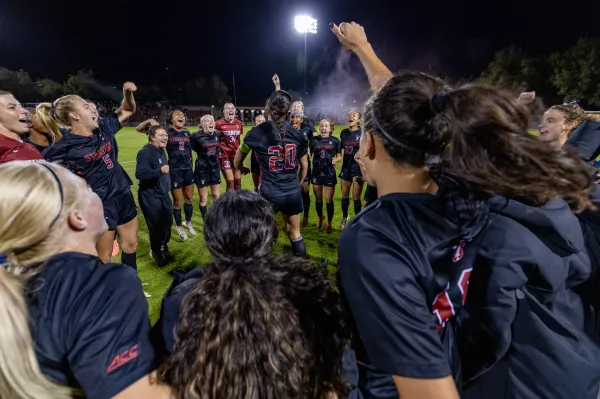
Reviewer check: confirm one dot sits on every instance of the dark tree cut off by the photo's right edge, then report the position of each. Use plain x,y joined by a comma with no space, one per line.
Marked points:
576,72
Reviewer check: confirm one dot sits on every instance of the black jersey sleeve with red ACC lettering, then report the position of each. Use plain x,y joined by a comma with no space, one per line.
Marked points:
111,348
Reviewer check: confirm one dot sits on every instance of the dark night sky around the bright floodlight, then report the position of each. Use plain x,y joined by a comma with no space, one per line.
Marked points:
134,40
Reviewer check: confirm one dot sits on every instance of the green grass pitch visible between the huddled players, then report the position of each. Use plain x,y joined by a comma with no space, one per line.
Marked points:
193,253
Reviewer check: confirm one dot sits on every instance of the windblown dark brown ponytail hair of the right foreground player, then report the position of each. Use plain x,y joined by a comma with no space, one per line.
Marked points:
479,134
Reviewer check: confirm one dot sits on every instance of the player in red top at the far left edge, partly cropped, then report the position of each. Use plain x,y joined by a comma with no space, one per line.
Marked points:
13,125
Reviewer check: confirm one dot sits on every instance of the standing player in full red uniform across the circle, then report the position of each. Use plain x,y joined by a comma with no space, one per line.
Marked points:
230,130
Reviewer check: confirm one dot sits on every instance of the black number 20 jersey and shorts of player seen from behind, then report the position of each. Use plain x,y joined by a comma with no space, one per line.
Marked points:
278,171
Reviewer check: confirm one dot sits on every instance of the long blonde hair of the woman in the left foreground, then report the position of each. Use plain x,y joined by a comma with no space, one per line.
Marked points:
31,204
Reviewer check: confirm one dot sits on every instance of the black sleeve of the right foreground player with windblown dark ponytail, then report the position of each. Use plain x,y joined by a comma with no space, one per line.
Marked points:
389,306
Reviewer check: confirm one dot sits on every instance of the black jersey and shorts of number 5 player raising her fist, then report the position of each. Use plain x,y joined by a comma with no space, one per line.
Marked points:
94,158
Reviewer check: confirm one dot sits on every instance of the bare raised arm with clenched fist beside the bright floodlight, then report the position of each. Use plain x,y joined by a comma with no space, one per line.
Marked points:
352,36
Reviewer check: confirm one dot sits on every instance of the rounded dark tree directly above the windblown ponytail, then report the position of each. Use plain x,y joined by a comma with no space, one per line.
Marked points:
511,68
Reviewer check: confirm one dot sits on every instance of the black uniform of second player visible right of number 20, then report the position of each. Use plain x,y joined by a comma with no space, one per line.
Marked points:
323,150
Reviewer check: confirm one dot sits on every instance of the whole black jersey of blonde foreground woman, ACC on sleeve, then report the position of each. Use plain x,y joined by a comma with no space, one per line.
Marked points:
89,324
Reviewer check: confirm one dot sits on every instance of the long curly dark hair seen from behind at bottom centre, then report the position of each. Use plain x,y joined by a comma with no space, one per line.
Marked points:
255,326
